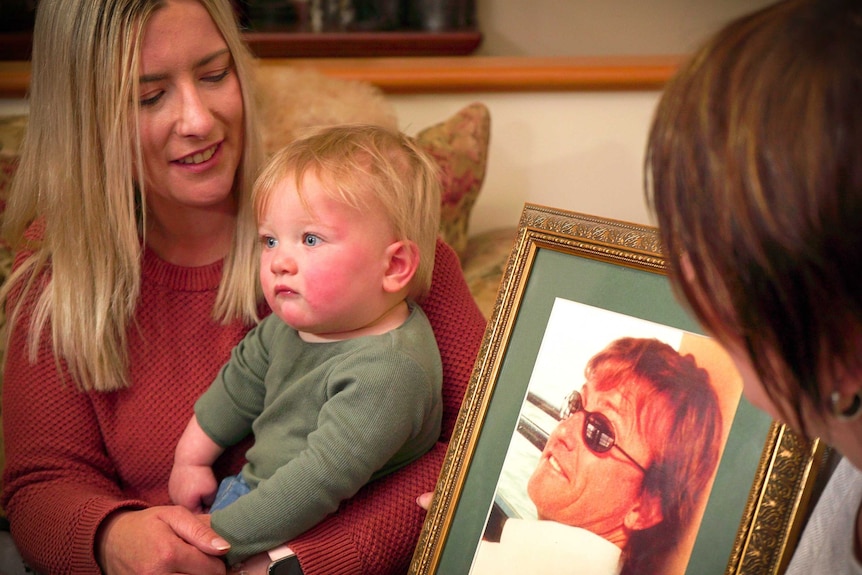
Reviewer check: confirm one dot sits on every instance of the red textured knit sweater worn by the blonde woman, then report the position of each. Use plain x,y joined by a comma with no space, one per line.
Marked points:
72,458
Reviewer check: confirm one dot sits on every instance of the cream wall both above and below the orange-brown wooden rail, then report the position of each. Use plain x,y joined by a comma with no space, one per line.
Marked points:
581,151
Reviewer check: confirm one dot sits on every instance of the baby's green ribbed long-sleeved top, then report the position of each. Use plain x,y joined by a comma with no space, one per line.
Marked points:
326,417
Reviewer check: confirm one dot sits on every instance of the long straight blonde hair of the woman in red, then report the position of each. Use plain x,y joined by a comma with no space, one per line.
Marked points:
77,178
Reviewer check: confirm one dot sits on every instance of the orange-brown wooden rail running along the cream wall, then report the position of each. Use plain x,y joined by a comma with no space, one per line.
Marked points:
457,74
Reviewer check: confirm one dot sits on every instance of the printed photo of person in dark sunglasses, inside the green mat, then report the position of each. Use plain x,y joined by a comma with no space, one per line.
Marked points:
621,466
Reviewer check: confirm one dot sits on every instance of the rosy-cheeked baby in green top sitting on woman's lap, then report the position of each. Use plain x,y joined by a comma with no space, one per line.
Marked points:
341,384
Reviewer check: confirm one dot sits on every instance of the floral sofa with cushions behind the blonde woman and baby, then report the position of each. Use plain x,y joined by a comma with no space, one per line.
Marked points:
292,101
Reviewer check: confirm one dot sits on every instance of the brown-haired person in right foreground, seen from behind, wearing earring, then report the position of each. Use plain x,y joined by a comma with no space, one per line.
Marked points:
754,169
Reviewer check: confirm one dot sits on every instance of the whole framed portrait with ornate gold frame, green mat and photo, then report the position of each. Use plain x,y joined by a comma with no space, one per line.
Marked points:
602,428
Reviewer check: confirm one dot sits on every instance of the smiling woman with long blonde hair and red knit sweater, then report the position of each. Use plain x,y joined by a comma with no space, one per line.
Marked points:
135,278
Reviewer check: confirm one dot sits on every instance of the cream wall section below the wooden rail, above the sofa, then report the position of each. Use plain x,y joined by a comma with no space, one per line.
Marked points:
581,151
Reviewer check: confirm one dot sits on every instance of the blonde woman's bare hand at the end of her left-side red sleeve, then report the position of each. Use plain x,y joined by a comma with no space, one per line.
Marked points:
159,540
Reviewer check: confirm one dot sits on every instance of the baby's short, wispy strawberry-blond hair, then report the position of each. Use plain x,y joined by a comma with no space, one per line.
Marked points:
369,168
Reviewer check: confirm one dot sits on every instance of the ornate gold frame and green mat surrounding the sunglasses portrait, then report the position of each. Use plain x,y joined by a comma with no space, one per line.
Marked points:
763,485
